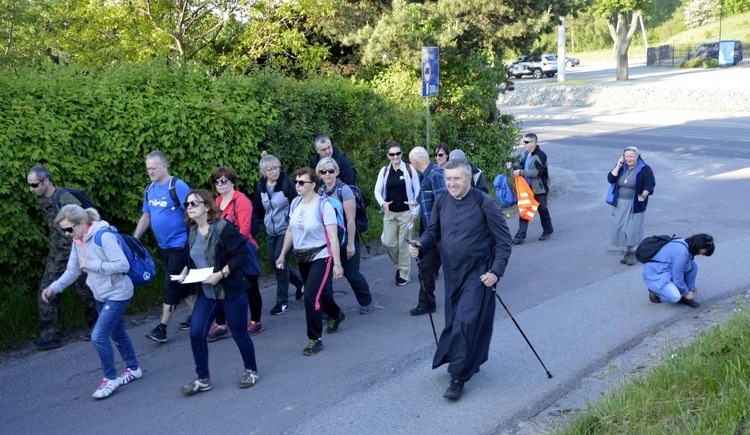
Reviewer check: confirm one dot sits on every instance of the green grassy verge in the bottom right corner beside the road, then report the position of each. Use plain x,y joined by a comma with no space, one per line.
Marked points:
701,388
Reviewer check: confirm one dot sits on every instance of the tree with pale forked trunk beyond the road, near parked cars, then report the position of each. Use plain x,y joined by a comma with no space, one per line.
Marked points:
622,20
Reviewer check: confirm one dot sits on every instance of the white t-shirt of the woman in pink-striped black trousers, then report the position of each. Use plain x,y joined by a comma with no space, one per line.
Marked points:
307,231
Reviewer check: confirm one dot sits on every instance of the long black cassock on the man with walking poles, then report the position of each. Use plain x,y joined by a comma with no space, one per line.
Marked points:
472,243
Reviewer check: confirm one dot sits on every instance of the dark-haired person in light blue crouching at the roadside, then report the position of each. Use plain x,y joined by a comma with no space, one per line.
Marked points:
671,274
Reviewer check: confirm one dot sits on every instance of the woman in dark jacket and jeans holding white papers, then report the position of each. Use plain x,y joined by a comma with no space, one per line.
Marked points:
213,242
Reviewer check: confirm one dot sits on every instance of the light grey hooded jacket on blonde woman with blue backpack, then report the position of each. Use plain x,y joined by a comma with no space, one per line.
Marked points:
107,269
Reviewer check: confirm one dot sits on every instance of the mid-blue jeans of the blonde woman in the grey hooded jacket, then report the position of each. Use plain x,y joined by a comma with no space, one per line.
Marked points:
110,325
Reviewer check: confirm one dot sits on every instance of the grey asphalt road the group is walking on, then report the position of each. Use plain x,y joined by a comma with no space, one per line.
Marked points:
579,307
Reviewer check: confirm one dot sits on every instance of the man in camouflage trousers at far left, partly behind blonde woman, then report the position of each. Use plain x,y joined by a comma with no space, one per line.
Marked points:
40,184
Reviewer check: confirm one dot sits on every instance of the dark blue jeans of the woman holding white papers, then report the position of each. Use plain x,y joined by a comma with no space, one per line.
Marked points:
204,313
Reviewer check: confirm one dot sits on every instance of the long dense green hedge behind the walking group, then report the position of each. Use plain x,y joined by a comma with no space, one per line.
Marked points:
94,130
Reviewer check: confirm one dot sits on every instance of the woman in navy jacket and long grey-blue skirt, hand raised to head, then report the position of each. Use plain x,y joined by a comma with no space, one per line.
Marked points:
631,183
